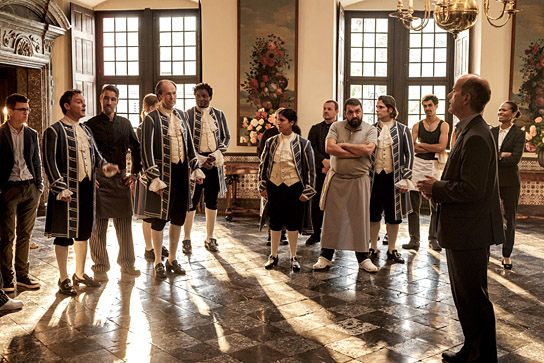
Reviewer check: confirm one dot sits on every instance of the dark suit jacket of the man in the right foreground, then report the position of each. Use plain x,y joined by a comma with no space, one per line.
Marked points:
468,193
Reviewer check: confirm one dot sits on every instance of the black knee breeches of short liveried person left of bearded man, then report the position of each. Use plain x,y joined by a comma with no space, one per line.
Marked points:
284,206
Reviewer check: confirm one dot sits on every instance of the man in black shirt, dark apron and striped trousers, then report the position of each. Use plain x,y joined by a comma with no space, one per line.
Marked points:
114,136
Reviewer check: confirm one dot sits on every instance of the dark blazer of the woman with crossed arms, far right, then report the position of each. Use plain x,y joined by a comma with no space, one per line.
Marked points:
514,143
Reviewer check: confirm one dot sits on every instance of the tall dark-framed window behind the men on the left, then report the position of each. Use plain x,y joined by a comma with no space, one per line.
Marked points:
137,49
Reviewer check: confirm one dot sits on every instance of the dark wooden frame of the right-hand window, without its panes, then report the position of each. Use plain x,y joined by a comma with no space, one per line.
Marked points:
397,79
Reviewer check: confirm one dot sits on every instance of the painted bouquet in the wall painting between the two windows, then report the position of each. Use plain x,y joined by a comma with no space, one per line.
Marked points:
266,81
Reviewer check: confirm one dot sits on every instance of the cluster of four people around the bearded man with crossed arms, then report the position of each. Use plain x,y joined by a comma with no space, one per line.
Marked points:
355,170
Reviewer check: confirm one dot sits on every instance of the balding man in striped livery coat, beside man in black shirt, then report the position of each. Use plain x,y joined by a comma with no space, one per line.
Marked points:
169,161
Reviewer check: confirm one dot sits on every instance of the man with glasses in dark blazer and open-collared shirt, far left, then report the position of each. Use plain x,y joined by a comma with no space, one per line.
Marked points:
20,189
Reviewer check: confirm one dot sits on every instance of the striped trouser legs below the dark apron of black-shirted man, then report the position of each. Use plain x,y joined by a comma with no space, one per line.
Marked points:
97,244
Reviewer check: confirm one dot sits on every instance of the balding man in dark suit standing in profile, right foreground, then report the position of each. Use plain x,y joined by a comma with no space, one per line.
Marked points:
470,218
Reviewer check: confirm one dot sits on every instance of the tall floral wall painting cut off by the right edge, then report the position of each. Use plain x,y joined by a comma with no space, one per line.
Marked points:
527,70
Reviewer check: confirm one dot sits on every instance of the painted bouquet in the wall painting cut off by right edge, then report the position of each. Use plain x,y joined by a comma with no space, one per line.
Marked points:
532,88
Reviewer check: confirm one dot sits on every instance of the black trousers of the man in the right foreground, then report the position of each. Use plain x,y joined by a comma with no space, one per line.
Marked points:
468,276
